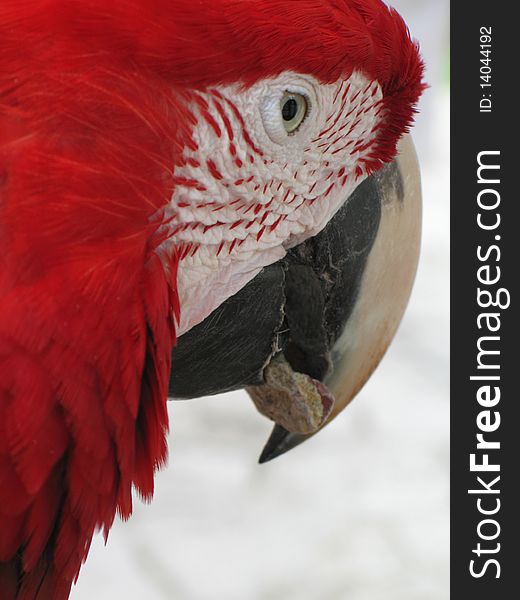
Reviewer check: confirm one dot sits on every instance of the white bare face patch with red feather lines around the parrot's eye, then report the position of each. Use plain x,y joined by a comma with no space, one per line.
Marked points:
248,189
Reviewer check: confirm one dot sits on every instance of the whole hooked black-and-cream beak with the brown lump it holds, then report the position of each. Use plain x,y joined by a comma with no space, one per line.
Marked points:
306,334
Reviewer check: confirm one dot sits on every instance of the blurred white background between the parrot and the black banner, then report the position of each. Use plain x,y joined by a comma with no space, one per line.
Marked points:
360,512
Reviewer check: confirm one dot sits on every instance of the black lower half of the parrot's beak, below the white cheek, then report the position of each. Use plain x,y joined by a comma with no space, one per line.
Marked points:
230,348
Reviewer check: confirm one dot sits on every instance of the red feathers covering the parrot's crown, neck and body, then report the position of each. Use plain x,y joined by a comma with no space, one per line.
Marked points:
92,123
